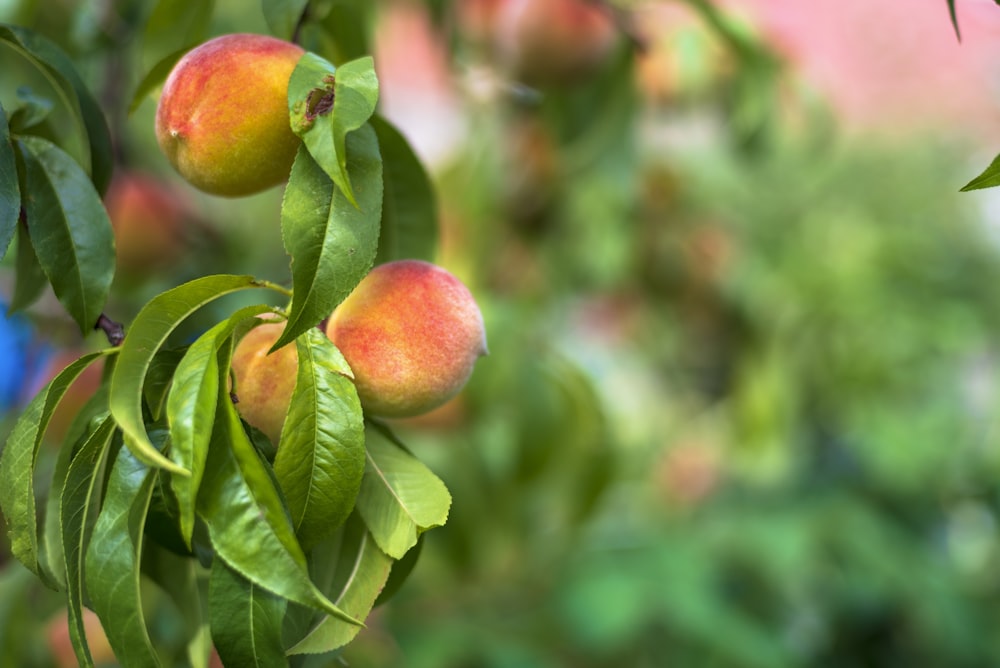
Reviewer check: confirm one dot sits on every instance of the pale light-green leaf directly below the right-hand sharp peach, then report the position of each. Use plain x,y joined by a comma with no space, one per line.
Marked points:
400,497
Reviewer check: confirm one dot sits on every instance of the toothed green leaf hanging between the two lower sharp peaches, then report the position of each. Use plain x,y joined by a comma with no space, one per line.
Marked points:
322,455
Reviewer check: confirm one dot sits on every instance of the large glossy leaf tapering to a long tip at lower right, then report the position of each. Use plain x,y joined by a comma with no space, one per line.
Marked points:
247,521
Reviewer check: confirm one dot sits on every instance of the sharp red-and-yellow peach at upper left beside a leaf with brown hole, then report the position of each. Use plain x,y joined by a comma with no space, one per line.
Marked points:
222,119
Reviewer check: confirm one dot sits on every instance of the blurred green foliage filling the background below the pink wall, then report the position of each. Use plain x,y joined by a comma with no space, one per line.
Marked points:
739,407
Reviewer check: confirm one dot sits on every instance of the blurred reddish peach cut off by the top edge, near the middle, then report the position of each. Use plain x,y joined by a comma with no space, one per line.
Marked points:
553,42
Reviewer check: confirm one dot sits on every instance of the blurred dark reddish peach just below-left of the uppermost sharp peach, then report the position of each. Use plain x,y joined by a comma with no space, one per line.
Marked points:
147,217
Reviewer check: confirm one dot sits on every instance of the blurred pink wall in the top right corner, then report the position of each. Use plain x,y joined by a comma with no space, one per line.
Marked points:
892,63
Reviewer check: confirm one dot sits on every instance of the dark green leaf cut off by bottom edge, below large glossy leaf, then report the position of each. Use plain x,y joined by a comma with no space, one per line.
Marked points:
245,619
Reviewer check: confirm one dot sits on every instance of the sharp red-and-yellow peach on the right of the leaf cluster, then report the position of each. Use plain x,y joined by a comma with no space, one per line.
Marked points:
411,332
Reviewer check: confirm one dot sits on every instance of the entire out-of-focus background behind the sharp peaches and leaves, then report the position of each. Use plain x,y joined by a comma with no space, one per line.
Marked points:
740,407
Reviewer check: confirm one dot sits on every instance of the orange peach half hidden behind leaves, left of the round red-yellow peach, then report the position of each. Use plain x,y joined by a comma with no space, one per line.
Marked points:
264,383
